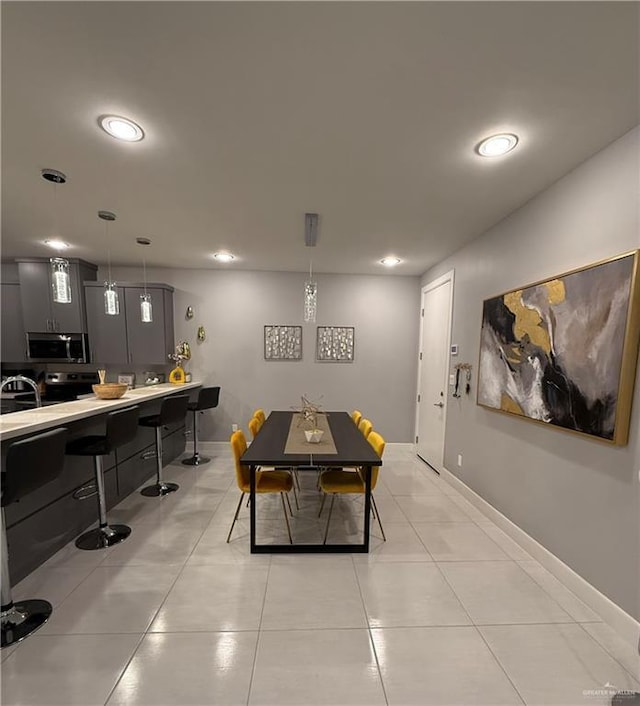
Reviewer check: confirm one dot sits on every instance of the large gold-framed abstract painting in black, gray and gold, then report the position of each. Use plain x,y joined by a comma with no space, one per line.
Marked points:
564,351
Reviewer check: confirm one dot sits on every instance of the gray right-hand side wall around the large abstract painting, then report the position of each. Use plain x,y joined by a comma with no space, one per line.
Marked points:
577,497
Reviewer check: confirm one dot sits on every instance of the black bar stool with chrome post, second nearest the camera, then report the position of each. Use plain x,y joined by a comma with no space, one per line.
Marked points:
122,426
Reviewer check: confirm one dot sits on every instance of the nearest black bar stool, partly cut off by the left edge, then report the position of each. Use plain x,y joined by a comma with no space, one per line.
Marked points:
30,464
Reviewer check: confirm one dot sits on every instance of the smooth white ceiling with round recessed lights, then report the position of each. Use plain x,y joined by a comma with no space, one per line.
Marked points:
255,113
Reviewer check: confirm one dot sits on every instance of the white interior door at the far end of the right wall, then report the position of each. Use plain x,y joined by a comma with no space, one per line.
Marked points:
437,298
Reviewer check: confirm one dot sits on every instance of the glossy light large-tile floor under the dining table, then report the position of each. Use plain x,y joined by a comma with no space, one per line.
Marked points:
448,611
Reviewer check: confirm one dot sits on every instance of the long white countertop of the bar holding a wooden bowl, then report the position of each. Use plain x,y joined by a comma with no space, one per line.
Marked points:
31,421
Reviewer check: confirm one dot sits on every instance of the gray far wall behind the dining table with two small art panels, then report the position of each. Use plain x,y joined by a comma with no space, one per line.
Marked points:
234,306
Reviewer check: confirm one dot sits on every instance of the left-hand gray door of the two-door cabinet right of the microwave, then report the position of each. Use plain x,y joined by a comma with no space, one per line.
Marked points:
107,334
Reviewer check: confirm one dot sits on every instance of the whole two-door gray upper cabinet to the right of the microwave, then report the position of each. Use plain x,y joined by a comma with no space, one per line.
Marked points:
125,338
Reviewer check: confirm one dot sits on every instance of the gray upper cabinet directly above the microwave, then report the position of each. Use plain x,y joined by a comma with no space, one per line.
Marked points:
40,314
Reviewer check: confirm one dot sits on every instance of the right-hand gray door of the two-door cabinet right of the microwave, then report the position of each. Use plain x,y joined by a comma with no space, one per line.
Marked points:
147,343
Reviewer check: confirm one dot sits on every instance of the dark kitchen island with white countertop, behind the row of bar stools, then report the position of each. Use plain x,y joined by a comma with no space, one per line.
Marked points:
44,521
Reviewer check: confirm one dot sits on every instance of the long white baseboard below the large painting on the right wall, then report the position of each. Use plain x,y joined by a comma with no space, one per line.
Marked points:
624,624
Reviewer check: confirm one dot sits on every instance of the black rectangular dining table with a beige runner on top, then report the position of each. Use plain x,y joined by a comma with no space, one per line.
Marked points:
281,443
